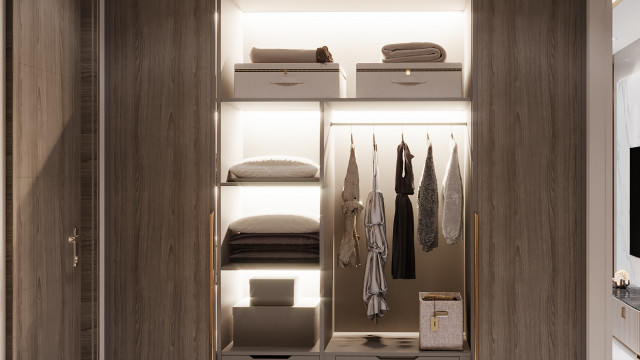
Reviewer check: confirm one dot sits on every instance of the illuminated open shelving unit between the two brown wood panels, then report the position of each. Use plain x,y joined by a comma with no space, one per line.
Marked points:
319,129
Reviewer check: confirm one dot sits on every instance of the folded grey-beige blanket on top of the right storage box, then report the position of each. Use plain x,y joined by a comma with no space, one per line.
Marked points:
413,52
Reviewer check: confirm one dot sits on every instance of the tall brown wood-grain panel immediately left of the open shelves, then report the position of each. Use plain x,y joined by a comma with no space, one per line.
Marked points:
159,189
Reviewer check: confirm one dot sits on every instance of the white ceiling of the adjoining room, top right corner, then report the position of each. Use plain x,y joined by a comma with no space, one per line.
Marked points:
626,24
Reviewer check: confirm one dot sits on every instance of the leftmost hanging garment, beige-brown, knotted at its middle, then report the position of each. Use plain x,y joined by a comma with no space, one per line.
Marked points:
349,253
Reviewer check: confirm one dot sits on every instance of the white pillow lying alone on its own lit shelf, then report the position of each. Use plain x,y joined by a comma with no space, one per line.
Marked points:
275,167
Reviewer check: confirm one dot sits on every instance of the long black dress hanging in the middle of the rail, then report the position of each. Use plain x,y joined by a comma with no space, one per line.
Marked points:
403,264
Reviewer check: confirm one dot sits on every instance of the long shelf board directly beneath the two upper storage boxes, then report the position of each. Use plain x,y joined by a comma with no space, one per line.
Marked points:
351,104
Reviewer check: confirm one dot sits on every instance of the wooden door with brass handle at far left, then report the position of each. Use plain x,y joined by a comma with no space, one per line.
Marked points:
43,125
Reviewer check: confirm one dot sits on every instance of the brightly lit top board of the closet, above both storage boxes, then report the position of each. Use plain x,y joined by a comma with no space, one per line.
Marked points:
350,6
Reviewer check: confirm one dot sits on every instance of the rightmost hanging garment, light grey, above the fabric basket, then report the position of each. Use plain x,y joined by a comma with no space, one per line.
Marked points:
452,197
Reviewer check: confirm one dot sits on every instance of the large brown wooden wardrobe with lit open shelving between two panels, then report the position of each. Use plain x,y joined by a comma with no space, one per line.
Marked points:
174,128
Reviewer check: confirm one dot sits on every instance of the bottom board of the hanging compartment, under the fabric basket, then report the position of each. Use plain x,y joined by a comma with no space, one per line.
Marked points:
407,344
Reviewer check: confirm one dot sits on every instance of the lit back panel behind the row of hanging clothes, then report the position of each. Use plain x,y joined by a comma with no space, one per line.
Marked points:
442,269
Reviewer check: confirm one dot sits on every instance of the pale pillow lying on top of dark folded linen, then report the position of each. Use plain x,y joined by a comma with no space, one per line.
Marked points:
276,223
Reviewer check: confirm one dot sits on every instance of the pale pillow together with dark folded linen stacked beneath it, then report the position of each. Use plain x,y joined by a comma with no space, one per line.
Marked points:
275,238
